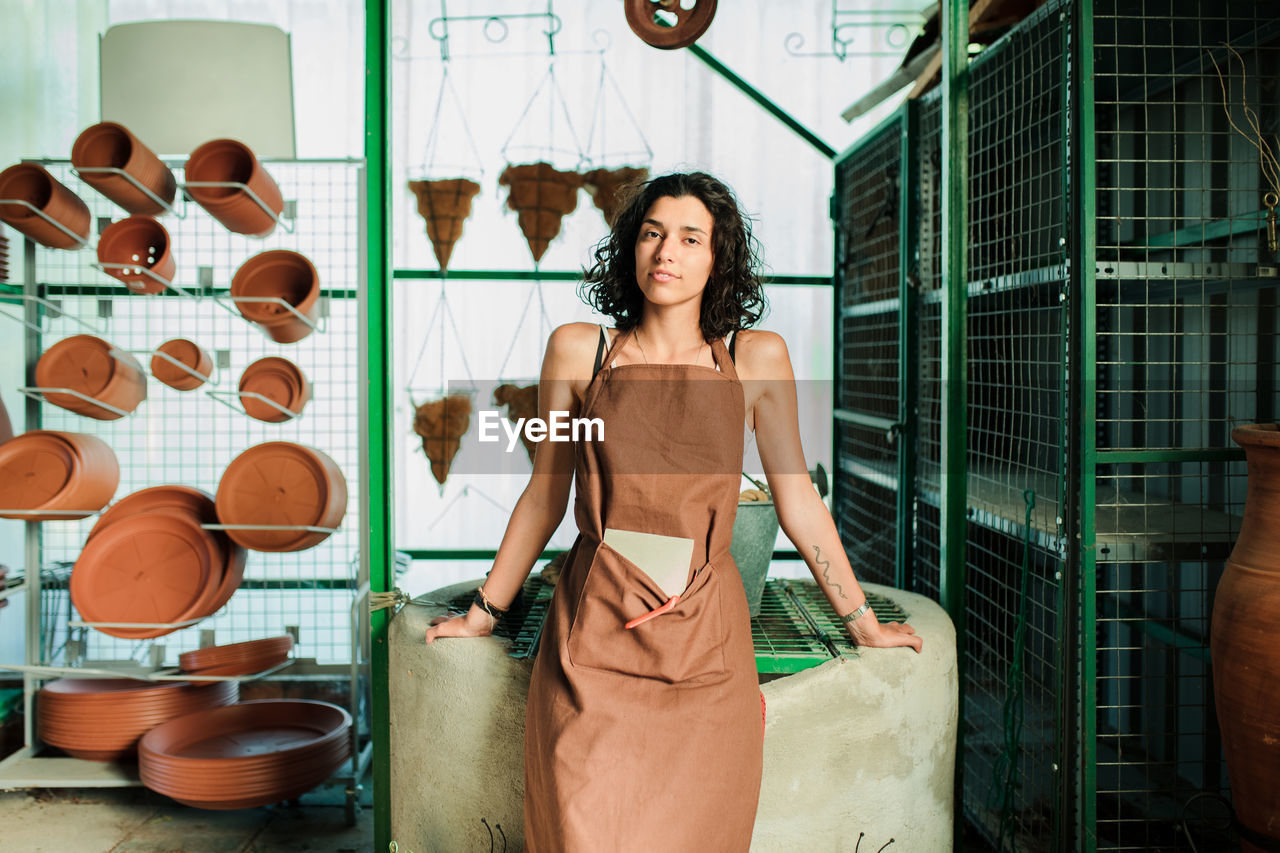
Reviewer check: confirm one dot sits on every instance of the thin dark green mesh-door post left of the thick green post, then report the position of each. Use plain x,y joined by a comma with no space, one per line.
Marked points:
907,348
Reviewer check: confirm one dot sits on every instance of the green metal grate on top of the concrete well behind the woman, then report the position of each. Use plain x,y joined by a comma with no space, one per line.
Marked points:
794,632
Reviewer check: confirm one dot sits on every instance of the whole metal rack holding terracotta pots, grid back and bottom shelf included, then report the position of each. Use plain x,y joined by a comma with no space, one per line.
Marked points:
190,437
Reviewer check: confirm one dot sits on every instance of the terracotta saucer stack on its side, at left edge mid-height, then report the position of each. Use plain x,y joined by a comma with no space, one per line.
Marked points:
48,476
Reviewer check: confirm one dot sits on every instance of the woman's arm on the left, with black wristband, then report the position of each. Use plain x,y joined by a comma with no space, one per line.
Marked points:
541,508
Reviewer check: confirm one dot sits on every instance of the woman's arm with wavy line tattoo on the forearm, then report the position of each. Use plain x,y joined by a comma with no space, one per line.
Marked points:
802,513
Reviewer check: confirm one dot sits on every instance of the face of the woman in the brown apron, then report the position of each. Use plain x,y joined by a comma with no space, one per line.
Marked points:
674,250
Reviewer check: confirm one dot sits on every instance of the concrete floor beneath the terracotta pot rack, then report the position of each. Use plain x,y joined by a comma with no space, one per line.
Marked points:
135,820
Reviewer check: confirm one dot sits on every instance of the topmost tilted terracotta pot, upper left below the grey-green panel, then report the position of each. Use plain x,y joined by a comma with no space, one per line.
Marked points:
111,145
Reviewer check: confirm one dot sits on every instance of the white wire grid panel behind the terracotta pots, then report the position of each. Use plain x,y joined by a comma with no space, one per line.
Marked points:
190,437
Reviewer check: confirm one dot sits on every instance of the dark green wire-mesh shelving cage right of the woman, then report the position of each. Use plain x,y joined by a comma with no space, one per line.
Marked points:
1118,304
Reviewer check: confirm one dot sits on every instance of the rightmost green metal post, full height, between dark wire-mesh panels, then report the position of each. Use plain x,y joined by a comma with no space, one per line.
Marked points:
1086,300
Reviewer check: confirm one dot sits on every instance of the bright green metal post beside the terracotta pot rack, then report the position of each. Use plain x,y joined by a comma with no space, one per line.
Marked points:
376,391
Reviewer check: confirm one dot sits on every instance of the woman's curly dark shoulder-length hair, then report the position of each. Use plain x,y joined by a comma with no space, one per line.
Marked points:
735,295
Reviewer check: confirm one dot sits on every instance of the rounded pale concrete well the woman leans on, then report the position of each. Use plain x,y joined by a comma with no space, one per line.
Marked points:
860,745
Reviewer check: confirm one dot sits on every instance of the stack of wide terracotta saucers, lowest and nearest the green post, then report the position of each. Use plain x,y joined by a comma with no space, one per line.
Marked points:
246,755
